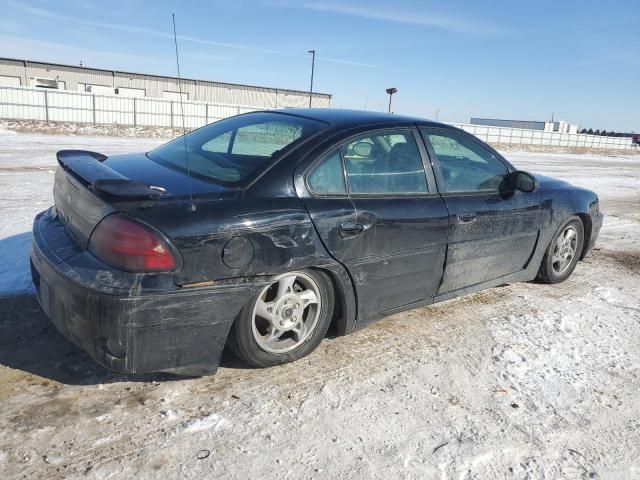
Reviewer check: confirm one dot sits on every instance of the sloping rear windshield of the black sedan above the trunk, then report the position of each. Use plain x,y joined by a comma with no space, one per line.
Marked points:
231,150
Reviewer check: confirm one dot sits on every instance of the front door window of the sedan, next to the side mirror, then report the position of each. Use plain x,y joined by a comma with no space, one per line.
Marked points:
465,165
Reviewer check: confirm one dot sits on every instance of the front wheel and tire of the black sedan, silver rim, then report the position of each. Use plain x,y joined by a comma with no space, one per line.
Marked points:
554,270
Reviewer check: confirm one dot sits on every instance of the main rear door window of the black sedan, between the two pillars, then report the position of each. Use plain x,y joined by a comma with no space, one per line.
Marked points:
384,164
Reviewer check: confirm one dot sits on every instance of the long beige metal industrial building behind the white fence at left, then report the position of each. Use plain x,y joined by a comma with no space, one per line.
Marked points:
51,76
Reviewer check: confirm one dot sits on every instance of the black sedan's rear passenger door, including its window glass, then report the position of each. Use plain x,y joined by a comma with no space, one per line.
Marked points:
393,240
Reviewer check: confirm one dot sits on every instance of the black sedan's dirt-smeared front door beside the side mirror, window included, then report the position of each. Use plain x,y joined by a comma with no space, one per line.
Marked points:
491,234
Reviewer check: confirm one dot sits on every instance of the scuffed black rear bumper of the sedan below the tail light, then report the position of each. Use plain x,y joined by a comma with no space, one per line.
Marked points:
123,325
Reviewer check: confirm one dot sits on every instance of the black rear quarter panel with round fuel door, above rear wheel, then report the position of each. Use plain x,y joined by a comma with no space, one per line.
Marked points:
243,237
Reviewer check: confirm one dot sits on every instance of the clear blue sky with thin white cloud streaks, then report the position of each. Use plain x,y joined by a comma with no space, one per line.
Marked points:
454,59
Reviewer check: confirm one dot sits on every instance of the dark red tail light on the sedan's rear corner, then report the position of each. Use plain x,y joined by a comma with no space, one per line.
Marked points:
129,245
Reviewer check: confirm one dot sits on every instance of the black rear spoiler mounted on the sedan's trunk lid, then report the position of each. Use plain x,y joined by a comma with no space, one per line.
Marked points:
101,179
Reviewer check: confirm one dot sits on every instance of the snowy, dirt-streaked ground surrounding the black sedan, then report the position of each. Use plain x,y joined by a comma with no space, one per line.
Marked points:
524,381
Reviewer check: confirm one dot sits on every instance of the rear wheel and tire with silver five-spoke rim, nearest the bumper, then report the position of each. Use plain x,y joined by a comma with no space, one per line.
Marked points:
286,335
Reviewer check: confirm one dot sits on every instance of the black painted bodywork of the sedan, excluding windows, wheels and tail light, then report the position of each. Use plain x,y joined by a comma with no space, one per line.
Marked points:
411,251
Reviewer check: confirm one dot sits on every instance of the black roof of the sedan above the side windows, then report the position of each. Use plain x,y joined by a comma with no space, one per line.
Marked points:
351,118
